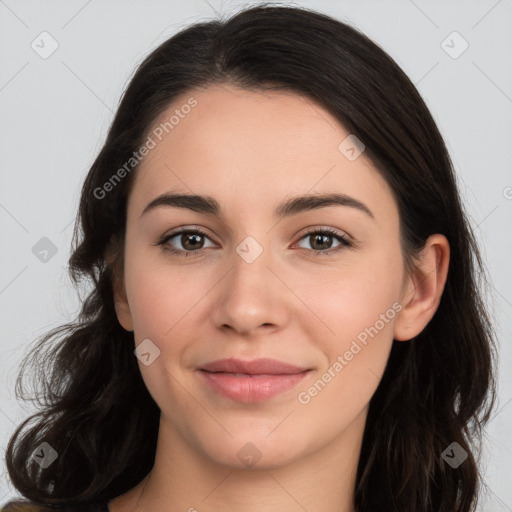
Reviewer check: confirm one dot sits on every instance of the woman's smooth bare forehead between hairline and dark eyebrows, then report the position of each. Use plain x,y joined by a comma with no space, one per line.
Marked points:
251,148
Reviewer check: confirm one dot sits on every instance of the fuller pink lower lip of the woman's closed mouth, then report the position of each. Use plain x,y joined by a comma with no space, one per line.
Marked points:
251,388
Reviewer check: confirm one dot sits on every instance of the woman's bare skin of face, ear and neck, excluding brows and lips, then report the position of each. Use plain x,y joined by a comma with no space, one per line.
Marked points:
250,151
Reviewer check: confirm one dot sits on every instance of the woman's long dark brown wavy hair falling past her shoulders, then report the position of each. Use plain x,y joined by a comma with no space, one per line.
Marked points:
437,389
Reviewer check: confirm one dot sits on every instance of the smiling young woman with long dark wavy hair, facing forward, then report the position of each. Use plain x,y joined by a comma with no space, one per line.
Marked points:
285,312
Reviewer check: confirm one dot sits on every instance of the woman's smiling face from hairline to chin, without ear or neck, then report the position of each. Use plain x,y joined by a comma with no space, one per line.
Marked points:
255,285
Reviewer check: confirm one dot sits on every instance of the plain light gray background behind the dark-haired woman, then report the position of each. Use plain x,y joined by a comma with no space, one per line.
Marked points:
55,113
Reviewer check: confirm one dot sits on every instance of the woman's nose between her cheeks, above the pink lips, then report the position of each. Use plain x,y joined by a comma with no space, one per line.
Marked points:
252,297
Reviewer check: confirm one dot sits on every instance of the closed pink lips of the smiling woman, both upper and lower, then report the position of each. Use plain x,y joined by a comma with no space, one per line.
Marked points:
251,381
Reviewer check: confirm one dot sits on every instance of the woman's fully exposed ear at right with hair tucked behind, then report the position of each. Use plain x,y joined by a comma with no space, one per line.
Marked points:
423,289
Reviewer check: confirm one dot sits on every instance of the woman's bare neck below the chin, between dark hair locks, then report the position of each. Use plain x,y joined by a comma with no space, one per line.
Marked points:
185,479
